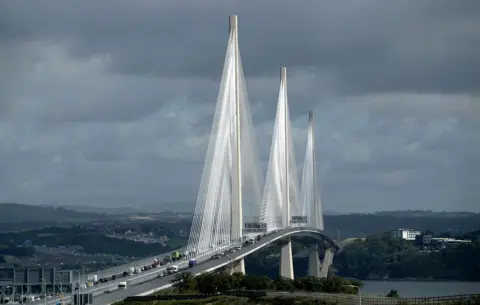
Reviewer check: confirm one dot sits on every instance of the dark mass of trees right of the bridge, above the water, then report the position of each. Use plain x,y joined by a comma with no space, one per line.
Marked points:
381,256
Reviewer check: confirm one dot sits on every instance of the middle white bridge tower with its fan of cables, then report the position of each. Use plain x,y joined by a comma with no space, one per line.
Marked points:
280,196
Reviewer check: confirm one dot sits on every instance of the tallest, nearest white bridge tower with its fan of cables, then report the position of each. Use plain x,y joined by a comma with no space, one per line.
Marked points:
231,166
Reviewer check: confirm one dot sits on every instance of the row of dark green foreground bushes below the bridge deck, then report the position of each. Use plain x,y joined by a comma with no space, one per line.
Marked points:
210,284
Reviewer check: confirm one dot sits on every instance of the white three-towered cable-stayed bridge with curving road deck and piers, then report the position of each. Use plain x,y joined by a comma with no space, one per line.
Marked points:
235,208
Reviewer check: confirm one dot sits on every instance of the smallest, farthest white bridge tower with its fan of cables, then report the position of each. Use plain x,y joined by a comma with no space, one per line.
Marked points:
309,195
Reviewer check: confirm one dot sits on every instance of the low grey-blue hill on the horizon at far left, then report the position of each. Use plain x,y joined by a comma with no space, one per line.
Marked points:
14,213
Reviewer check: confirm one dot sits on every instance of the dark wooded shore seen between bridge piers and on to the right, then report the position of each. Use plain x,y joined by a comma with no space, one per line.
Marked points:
381,256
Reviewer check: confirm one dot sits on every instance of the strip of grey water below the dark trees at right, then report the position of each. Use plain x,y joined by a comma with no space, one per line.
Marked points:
419,288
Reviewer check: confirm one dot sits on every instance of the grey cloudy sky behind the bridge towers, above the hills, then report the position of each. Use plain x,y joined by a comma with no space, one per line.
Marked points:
110,103
